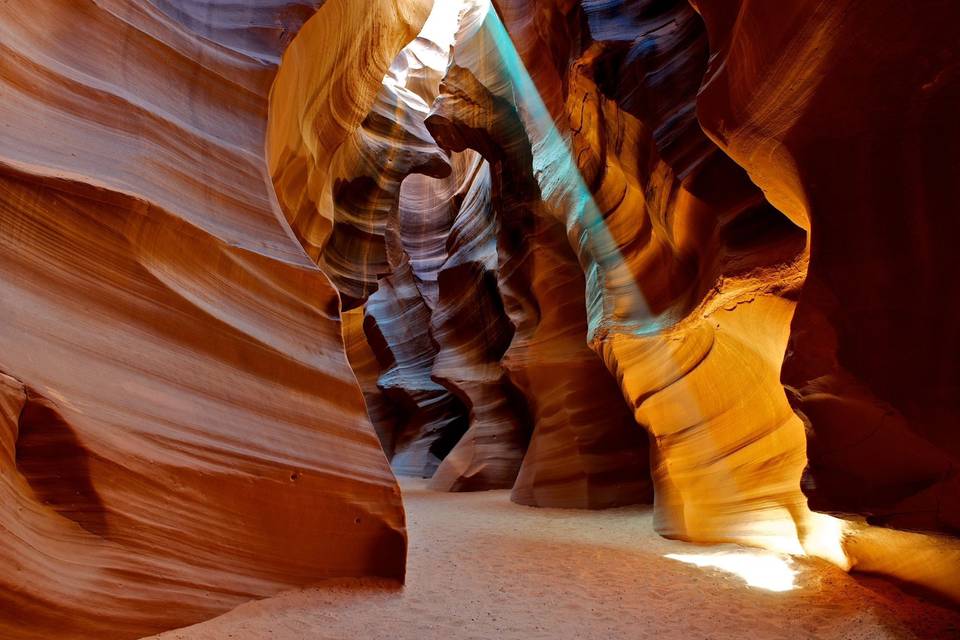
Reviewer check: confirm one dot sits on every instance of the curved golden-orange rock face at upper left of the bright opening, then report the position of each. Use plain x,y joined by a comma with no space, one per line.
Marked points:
327,108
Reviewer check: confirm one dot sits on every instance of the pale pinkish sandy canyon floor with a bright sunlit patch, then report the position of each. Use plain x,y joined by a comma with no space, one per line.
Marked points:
483,567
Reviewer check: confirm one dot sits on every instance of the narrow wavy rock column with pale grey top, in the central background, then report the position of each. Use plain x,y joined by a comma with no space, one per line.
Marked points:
474,332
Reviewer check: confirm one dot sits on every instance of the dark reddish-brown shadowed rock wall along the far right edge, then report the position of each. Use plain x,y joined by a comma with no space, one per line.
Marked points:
855,154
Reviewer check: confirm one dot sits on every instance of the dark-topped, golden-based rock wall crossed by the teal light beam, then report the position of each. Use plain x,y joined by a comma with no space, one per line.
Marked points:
687,283
